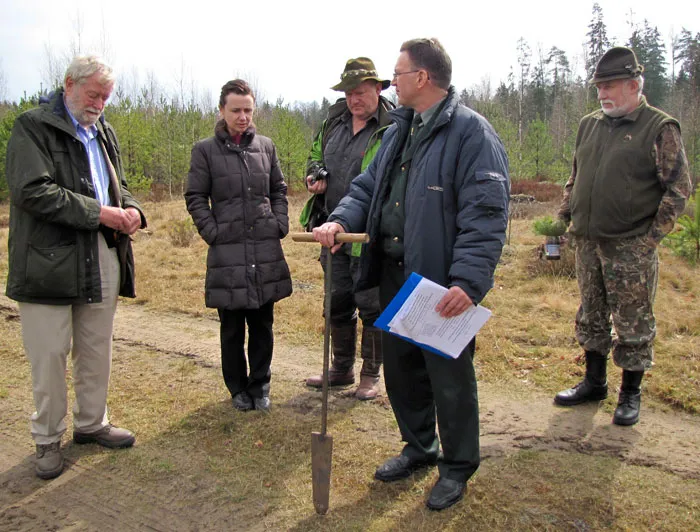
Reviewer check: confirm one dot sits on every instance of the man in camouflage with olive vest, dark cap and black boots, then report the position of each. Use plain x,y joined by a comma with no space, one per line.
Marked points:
629,183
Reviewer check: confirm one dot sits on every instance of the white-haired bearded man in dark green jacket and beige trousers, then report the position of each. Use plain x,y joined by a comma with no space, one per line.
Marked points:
71,215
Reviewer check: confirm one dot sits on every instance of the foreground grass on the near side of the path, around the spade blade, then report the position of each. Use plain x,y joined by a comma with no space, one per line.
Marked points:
251,471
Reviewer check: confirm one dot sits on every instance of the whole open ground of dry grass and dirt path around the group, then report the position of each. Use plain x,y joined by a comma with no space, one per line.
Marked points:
200,465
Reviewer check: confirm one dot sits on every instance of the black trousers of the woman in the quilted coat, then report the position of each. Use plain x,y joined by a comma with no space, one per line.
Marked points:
260,343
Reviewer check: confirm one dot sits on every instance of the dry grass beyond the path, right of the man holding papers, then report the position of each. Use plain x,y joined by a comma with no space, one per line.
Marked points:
530,339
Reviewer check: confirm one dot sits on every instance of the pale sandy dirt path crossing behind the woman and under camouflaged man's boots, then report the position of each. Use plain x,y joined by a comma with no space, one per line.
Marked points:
669,441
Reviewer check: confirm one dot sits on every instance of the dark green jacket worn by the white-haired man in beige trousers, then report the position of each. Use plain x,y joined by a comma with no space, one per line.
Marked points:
54,213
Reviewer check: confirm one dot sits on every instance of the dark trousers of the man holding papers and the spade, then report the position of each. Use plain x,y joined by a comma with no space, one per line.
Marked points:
424,387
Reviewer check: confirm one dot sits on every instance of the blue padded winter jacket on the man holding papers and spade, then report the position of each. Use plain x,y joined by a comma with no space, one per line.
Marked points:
456,204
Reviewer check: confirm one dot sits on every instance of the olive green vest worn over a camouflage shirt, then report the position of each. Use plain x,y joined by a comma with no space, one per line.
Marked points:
617,192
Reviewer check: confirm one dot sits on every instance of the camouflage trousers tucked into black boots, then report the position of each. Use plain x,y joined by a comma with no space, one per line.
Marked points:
617,279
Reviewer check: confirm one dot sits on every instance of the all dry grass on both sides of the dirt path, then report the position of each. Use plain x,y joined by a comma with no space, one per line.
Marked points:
257,467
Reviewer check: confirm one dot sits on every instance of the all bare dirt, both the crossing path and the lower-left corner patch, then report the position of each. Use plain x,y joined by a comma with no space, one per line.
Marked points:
509,422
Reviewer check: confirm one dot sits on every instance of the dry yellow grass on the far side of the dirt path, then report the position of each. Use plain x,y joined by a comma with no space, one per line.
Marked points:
528,342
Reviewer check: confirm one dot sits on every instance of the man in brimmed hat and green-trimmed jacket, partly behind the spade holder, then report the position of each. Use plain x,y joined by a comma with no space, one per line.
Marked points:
345,145
